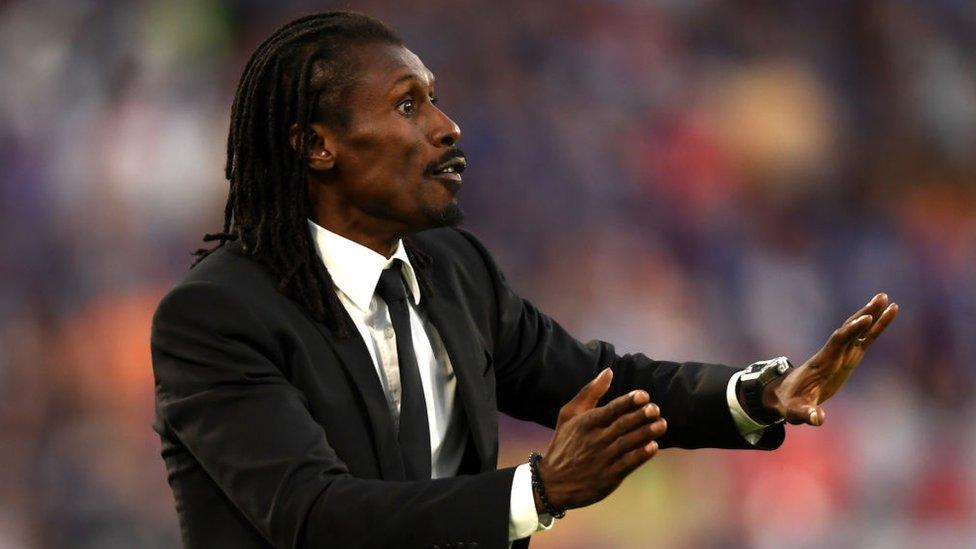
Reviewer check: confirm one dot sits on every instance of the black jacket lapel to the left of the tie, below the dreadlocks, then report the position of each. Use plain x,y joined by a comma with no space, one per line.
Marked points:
355,360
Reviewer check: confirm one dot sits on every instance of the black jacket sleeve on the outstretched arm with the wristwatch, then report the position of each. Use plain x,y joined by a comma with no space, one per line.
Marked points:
539,367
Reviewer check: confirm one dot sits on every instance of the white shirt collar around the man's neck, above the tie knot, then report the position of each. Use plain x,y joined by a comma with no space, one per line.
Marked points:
355,269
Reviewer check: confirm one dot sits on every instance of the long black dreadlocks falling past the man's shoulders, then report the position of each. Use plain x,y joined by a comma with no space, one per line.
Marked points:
301,74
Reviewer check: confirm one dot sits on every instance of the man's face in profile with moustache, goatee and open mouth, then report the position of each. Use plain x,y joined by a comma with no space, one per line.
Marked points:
396,162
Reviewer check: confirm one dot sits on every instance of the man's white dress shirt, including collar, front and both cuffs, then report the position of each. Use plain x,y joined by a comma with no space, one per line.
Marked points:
355,271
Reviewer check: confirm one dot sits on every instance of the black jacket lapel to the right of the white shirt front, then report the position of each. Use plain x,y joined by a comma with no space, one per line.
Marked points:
468,360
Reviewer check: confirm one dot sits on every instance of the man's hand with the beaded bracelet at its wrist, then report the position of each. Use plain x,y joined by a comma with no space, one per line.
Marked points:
594,449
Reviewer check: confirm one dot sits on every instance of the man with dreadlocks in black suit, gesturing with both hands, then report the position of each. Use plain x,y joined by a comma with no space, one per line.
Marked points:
330,374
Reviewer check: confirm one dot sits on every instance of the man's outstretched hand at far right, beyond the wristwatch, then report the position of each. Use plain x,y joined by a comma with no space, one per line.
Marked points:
798,396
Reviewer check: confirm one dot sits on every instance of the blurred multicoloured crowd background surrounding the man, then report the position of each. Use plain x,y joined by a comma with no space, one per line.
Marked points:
718,181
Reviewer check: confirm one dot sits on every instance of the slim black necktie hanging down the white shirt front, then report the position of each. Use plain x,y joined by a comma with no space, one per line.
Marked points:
414,436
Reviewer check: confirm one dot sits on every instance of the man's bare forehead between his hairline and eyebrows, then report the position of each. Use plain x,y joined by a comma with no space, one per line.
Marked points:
384,67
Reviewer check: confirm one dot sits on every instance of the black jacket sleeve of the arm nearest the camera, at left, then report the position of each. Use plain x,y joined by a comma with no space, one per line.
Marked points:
220,392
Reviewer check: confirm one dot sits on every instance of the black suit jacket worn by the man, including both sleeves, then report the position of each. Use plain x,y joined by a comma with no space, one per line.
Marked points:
275,432
